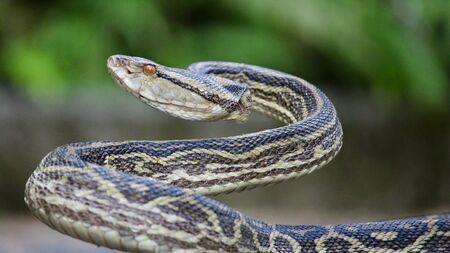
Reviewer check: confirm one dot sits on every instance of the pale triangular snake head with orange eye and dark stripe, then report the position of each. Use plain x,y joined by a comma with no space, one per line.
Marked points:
179,92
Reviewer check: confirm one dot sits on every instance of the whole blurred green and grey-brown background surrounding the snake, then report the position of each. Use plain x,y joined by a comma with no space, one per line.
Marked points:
385,65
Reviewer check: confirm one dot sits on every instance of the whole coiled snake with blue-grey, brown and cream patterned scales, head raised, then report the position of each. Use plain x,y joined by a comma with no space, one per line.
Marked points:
151,196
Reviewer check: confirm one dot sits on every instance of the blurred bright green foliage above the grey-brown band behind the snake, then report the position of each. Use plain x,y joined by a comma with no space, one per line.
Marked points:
396,49
